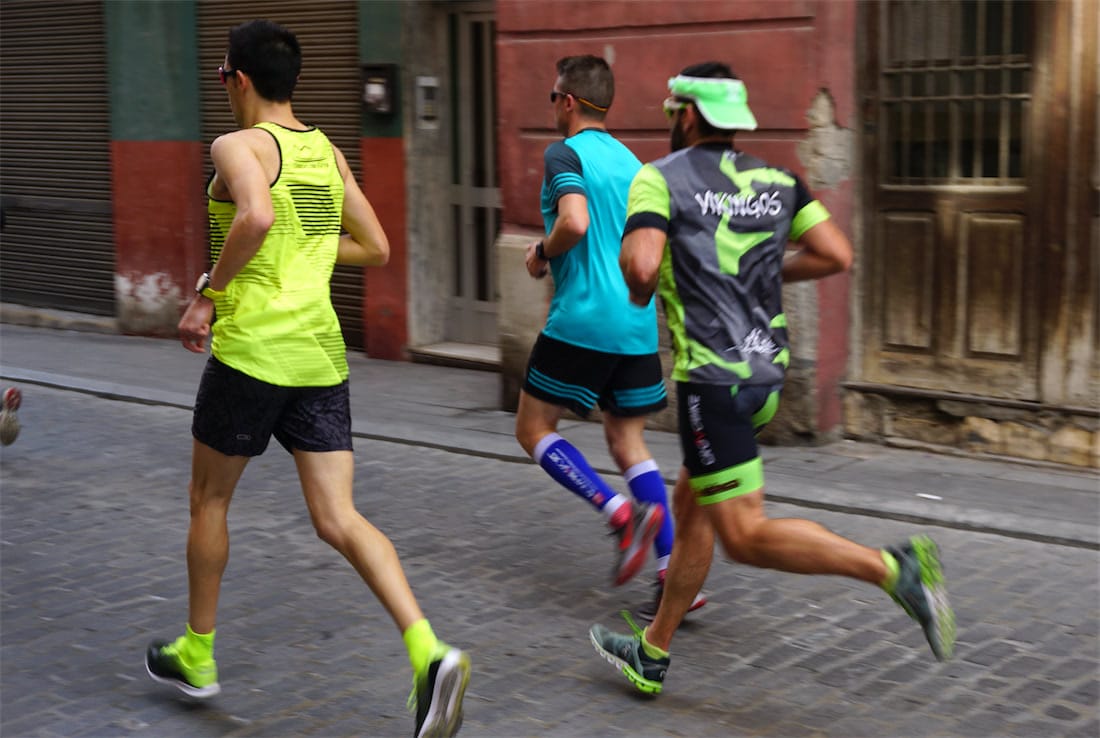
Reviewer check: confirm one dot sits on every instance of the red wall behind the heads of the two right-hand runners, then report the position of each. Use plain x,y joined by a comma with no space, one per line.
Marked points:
532,37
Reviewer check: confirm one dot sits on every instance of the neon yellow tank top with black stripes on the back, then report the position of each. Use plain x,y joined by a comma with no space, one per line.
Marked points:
276,321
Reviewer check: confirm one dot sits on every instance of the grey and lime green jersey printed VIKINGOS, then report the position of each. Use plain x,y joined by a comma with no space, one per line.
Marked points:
729,217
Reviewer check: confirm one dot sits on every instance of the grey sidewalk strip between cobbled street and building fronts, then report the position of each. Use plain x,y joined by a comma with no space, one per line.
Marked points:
456,411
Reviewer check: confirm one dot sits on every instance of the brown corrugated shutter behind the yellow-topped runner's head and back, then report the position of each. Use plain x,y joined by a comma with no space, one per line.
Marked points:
328,96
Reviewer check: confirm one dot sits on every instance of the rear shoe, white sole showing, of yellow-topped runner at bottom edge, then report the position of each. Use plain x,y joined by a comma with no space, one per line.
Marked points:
437,695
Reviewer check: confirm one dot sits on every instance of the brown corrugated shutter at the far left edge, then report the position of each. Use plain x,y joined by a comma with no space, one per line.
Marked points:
58,238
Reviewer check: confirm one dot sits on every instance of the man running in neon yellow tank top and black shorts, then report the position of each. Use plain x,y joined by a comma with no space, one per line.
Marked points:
279,200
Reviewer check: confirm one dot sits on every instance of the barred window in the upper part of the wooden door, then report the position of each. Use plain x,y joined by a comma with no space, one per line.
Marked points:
955,91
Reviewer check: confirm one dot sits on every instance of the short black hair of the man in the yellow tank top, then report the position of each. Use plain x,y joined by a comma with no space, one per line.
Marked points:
271,57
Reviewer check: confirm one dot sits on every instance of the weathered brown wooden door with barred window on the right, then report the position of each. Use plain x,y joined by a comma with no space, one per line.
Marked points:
951,299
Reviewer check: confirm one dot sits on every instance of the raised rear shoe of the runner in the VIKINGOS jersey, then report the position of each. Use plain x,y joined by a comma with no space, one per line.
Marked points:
922,593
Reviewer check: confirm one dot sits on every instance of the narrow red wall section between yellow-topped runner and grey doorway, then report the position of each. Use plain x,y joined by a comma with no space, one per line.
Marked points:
386,313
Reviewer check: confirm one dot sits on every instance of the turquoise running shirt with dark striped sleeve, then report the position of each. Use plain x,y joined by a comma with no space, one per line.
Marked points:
591,306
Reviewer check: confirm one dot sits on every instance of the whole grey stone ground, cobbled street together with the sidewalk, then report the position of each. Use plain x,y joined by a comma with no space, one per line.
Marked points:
94,520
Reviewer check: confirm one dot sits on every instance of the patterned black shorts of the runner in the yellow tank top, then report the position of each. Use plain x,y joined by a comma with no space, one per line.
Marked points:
237,415
